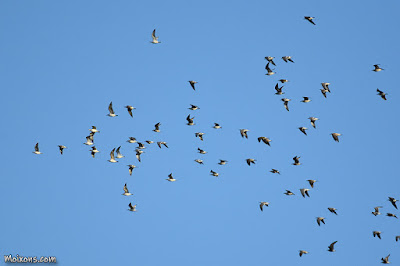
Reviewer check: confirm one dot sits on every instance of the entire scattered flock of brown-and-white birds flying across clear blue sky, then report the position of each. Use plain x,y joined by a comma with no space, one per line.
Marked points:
244,134
